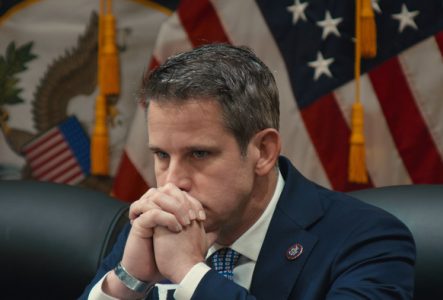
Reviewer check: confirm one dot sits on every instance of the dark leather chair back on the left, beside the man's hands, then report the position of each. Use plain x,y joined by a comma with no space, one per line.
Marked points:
53,238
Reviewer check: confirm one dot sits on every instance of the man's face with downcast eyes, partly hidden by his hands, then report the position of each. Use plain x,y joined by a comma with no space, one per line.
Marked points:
195,152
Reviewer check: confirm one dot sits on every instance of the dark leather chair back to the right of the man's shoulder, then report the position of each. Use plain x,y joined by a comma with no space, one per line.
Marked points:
420,207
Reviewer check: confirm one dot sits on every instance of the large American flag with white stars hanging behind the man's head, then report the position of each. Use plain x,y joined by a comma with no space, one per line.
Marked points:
309,45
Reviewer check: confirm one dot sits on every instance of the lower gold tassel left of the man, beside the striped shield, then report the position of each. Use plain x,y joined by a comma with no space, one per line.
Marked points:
100,140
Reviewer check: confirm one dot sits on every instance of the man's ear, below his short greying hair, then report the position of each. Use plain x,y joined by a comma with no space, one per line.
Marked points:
268,144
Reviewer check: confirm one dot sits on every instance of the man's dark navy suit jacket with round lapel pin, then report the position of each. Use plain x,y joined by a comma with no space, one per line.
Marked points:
351,250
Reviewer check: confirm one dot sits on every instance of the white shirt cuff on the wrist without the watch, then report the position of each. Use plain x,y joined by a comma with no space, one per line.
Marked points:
189,283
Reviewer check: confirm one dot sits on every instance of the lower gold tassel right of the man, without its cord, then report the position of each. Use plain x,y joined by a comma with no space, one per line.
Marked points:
357,164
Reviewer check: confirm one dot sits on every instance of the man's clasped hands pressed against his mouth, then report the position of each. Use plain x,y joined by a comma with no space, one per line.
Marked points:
167,237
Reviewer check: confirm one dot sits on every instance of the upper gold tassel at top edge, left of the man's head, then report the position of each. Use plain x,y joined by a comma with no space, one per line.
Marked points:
109,64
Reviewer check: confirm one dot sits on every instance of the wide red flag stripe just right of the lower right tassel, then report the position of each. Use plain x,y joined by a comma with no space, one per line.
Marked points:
406,123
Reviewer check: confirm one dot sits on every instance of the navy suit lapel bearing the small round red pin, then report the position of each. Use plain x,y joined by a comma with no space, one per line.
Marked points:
276,272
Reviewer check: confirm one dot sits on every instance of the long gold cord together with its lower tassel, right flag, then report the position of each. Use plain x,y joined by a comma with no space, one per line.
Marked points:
357,156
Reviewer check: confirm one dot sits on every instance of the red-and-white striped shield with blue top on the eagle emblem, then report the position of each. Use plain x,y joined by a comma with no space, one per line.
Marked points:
61,154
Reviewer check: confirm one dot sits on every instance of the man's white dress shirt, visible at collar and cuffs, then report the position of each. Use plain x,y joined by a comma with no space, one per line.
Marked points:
248,245
